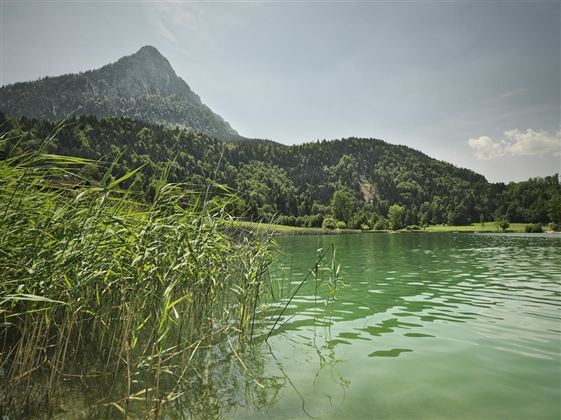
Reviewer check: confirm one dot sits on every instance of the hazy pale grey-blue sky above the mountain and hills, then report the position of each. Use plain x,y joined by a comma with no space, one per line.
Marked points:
475,83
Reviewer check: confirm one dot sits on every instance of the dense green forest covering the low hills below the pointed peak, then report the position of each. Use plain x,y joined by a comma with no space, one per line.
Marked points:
353,182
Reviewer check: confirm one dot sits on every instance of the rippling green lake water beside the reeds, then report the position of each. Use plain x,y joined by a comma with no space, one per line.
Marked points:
429,326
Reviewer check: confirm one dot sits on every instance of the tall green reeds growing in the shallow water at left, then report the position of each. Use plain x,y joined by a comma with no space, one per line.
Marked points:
99,288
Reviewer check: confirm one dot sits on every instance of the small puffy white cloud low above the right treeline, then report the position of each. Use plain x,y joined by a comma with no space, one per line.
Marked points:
517,143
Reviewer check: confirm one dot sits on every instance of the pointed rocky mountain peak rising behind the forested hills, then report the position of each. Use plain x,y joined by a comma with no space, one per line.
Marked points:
140,86
